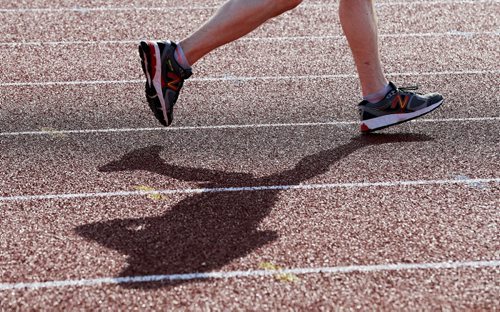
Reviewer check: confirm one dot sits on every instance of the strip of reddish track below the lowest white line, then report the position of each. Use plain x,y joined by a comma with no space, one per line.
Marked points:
461,289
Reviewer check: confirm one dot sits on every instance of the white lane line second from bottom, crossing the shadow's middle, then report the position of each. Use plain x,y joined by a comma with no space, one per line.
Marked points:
248,189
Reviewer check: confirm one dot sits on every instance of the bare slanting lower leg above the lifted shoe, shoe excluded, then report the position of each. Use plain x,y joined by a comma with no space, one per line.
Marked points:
233,20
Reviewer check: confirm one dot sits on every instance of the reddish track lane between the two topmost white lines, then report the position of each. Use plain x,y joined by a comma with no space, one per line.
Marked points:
305,20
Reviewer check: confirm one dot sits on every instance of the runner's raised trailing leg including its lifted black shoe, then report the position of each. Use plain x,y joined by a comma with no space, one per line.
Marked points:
165,76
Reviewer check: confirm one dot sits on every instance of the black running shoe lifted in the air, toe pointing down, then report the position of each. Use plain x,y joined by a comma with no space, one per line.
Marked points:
164,78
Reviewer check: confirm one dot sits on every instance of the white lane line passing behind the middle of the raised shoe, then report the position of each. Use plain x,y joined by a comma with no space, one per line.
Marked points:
243,78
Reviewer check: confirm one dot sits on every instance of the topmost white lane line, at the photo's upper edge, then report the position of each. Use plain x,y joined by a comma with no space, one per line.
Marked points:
80,9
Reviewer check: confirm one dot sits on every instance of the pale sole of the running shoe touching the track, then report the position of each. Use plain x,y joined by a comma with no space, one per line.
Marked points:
385,121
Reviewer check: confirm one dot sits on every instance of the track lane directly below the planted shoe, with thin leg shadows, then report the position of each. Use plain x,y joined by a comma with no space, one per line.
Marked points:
110,163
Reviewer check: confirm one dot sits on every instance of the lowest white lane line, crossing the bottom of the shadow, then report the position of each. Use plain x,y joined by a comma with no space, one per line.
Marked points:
374,268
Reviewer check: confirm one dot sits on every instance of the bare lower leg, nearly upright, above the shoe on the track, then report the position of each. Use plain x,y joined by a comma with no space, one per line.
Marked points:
359,24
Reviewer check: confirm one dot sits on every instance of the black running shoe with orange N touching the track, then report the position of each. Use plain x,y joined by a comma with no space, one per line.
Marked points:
398,106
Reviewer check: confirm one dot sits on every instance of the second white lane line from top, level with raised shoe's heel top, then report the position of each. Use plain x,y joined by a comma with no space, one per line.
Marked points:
467,34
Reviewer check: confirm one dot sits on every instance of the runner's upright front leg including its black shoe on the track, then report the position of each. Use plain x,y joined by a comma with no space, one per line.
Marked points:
384,104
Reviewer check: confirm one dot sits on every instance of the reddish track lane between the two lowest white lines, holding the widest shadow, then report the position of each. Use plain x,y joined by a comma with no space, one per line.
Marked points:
200,233
